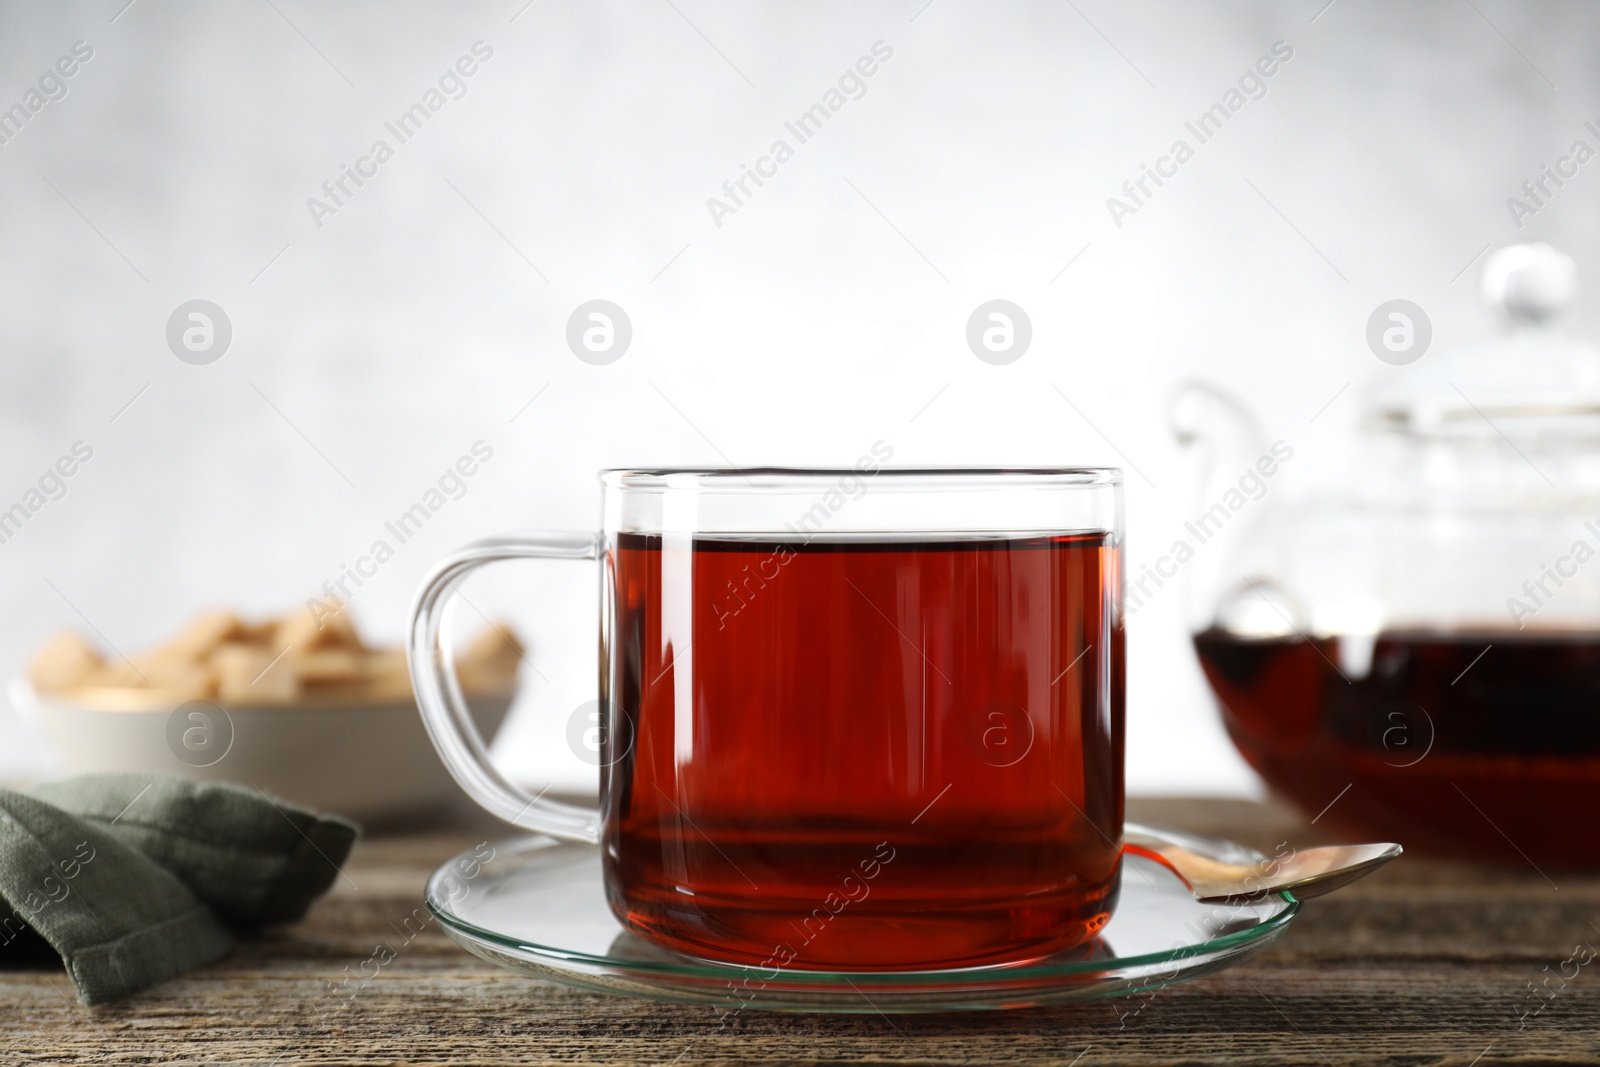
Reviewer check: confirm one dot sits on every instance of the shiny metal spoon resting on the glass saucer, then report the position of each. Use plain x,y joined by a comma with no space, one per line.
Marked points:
1231,874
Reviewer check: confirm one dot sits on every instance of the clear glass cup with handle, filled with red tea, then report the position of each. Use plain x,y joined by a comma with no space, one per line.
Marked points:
857,719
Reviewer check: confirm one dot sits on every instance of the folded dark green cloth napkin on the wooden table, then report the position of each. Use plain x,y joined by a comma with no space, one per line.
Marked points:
135,879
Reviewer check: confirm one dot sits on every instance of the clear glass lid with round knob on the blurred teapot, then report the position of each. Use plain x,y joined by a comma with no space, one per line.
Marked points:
1529,383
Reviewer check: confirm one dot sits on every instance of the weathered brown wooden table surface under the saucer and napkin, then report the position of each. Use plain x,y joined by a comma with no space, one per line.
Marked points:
1422,964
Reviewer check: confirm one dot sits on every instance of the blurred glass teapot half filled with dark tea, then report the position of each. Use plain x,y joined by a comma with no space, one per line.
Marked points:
1418,655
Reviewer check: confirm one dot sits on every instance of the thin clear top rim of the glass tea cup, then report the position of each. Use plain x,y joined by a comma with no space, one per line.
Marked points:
769,479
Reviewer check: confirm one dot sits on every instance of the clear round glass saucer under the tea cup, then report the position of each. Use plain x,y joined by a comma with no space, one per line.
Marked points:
538,906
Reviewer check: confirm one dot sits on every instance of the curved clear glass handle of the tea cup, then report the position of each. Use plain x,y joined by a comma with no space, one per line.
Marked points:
444,708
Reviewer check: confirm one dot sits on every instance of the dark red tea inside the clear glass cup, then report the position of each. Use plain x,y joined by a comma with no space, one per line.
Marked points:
874,753
